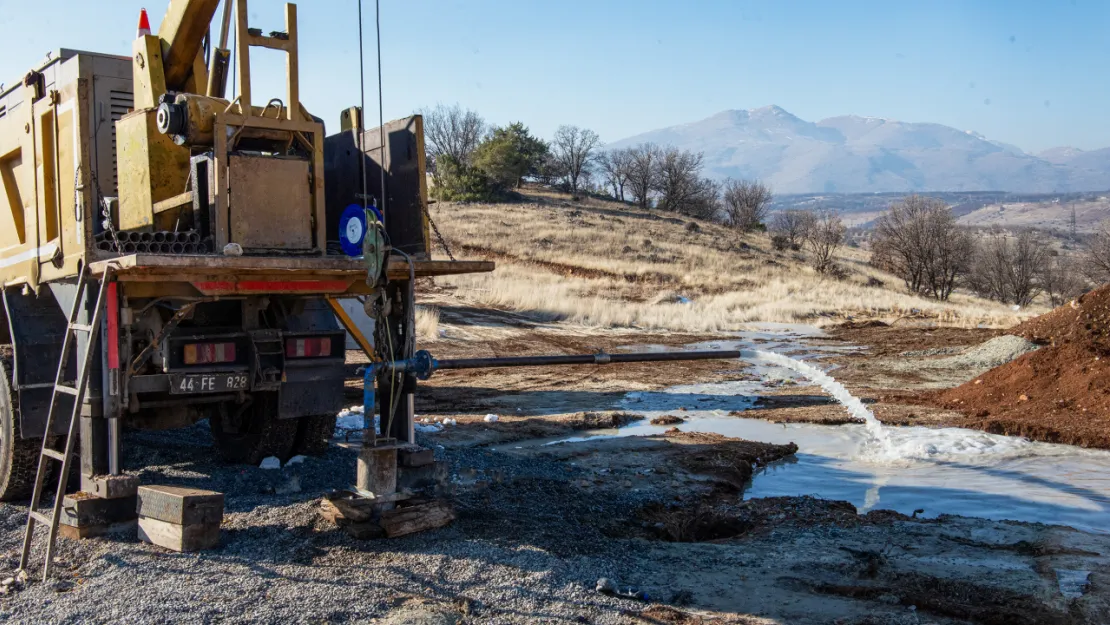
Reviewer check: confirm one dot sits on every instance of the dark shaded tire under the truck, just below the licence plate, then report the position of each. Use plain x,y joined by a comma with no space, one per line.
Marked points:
253,432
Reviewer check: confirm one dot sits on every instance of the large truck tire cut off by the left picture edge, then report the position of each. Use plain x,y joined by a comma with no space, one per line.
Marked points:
19,458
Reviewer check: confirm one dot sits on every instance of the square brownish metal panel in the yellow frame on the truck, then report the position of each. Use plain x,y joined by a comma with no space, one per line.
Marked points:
271,204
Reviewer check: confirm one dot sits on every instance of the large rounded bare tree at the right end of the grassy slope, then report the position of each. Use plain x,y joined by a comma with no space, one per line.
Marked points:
920,241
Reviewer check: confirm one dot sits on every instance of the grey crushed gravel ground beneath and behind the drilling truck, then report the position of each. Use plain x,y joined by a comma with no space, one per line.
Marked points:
514,556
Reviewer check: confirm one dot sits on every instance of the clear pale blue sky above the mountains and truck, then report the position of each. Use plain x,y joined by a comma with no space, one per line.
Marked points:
1028,74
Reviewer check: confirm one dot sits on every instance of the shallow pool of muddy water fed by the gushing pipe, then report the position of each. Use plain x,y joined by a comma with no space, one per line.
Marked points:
945,471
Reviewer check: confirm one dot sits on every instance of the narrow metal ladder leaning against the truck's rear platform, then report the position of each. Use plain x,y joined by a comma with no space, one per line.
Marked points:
48,455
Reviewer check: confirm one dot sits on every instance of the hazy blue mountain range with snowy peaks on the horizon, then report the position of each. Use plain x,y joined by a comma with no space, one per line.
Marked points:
859,155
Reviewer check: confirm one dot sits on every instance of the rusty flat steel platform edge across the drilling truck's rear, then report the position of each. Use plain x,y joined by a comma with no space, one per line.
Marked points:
226,276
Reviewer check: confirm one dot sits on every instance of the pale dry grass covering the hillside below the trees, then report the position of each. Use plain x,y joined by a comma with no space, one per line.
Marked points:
607,265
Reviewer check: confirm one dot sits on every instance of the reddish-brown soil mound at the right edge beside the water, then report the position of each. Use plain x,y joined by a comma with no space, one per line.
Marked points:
1059,394
